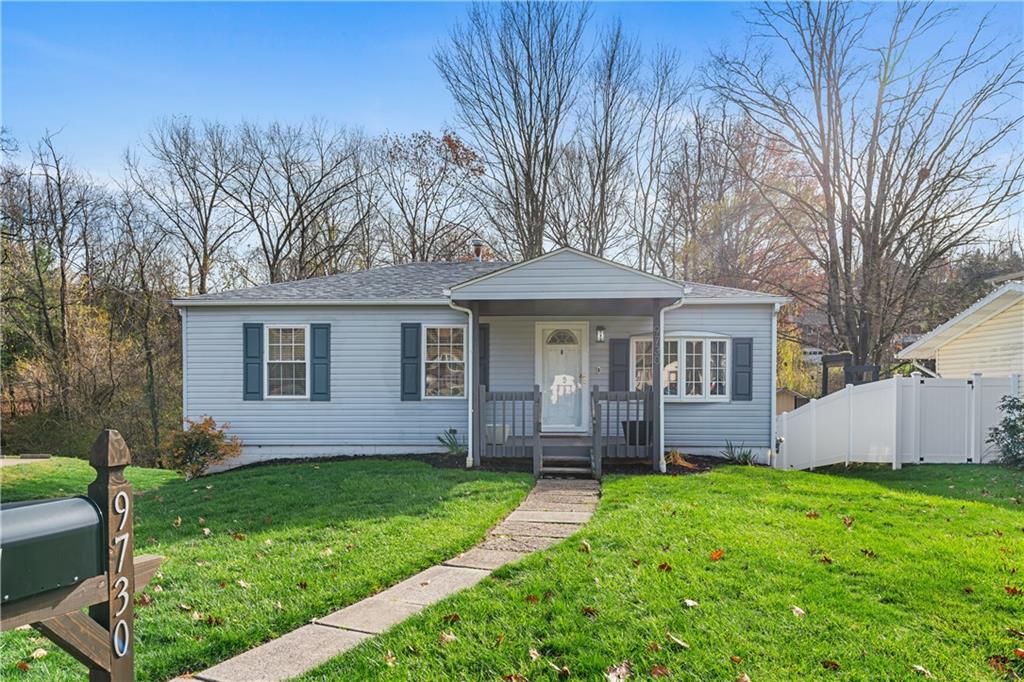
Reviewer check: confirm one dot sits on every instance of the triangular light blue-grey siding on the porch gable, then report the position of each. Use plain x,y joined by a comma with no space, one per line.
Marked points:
567,275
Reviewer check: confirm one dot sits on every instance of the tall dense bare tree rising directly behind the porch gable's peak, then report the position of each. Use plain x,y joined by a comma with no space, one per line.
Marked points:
514,70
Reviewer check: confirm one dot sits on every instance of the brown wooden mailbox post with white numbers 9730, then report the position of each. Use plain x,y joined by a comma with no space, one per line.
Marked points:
105,640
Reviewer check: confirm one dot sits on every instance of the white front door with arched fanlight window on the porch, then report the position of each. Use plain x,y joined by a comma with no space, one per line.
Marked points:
563,359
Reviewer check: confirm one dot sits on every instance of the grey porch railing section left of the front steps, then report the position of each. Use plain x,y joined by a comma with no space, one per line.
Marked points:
509,424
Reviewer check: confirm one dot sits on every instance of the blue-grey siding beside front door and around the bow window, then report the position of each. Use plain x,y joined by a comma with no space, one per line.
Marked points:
687,424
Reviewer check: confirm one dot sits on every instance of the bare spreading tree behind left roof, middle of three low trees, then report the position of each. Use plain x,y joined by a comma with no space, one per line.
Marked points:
287,188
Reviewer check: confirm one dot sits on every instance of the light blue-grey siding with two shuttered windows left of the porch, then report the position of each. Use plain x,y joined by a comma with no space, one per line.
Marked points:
366,407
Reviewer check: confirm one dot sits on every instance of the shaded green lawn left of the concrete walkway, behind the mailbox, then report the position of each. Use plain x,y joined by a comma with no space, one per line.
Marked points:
288,543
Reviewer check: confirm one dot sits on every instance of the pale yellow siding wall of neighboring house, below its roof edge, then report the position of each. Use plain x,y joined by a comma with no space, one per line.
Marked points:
996,348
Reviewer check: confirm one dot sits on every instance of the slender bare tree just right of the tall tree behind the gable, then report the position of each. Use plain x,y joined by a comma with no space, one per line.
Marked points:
590,186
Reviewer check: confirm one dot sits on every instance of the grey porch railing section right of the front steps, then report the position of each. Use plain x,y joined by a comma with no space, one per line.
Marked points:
623,425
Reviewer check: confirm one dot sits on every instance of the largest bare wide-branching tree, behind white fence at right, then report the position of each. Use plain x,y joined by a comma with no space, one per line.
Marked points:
910,161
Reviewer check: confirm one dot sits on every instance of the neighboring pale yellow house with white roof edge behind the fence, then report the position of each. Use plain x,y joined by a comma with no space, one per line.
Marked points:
988,338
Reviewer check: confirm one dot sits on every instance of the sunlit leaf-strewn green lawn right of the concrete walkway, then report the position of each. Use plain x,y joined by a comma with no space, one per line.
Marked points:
919,579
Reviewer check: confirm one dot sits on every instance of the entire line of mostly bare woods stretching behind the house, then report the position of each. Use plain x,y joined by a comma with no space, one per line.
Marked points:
828,160
